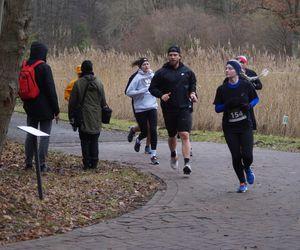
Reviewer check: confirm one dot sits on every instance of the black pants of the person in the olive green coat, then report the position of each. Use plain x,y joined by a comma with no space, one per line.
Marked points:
89,149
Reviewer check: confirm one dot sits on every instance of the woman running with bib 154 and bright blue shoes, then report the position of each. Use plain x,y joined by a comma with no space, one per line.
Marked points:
235,97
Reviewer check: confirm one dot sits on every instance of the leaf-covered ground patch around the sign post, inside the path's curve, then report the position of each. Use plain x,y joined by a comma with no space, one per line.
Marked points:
72,197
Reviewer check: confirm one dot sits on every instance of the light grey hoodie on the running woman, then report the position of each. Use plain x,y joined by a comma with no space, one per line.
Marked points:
138,90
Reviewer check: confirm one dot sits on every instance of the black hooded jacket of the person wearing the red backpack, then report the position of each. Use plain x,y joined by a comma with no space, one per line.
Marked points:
45,106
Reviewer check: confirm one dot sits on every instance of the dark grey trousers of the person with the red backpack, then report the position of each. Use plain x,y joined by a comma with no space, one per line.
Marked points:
45,126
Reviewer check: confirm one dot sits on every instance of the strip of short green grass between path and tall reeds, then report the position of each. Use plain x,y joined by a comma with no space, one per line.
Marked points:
273,142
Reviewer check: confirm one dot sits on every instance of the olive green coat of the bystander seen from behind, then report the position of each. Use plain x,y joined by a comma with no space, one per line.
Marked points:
92,105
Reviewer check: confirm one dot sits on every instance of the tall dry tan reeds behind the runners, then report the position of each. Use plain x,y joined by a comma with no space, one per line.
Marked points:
280,94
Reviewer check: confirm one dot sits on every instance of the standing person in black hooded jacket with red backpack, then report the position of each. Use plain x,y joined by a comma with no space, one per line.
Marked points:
42,108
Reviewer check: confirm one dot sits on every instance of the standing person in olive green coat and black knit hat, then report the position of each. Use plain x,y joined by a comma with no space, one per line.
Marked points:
89,130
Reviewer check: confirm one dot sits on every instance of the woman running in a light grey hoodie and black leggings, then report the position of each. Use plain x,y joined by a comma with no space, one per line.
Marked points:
145,105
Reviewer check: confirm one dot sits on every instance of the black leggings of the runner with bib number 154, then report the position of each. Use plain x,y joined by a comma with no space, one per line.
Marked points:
241,148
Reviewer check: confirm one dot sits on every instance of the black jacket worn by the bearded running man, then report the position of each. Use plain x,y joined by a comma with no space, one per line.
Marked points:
181,82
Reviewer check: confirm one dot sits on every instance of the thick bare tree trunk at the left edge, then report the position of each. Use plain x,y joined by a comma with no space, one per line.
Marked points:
14,23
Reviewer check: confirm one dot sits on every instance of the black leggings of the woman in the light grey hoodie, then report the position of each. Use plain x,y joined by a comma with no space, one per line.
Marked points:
142,119
